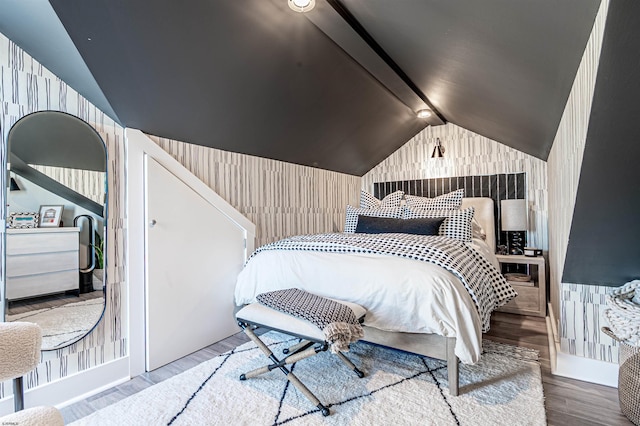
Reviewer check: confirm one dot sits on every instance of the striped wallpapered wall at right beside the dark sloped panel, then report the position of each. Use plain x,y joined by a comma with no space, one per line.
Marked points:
577,308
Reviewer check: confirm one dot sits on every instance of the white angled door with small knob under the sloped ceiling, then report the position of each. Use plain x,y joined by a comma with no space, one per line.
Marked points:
194,254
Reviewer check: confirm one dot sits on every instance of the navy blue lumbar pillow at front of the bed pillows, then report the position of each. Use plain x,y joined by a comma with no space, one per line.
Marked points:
382,225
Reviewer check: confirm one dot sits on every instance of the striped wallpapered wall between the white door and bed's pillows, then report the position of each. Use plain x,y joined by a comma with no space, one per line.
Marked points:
282,199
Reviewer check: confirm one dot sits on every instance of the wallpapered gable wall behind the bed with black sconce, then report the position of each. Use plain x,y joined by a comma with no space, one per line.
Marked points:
468,154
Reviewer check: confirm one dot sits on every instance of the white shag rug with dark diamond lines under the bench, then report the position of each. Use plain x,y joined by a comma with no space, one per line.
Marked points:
504,388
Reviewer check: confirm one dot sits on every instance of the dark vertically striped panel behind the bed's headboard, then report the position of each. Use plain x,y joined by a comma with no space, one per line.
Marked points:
497,187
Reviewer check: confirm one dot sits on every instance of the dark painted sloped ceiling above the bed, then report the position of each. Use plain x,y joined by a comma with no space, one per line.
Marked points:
254,77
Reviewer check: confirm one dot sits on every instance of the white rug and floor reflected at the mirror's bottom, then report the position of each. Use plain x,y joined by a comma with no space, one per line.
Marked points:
63,324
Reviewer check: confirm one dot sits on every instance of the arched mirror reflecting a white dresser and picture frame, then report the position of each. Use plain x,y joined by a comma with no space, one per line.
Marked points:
56,226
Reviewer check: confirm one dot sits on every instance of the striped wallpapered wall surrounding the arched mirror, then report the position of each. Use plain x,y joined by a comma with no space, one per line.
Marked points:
25,87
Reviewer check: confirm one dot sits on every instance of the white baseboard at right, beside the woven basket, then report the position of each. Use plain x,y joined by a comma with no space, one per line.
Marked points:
577,367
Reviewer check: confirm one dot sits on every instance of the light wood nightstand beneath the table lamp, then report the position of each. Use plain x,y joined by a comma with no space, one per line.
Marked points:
532,296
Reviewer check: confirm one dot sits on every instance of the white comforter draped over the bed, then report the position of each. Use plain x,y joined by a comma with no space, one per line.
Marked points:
399,294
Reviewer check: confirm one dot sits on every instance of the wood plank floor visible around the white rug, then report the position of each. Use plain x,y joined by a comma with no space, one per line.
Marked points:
568,402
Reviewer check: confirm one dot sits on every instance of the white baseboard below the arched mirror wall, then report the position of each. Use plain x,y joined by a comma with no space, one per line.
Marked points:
73,388
